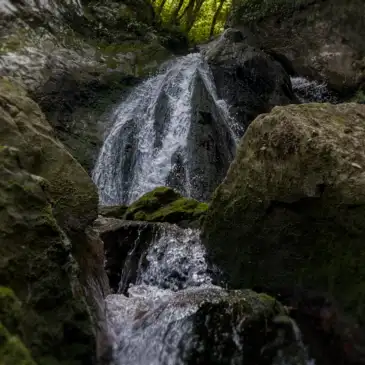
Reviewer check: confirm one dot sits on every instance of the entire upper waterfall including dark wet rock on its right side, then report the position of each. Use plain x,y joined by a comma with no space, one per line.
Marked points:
172,130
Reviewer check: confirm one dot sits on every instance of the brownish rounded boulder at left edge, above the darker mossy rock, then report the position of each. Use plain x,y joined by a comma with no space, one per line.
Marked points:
74,197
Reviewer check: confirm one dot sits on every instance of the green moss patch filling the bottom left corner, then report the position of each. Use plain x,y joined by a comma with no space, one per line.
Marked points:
12,350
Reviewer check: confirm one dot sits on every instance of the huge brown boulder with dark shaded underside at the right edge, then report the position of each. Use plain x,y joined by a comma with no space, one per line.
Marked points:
289,215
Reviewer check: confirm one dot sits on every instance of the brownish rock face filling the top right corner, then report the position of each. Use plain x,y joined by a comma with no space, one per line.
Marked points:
323,39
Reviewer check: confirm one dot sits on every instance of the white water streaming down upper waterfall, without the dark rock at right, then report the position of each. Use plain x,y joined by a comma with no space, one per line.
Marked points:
150,128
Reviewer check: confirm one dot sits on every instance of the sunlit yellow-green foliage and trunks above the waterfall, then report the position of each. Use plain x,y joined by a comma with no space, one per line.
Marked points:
199,19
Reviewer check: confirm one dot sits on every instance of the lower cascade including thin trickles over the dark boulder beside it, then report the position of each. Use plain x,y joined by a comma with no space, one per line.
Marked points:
154,323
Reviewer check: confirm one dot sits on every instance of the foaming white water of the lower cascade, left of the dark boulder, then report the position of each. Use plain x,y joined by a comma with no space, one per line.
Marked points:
151,321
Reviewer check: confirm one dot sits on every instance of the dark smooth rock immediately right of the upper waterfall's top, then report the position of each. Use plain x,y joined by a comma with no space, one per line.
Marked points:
251,81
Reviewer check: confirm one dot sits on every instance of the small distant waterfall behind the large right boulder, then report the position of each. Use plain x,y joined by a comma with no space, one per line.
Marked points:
309,91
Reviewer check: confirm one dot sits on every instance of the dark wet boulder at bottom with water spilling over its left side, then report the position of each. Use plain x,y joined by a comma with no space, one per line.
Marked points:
209,325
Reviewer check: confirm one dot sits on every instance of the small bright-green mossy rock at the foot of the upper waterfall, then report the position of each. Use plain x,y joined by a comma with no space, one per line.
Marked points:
166,205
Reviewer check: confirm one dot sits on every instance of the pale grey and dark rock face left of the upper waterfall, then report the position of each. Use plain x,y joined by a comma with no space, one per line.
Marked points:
75,60
